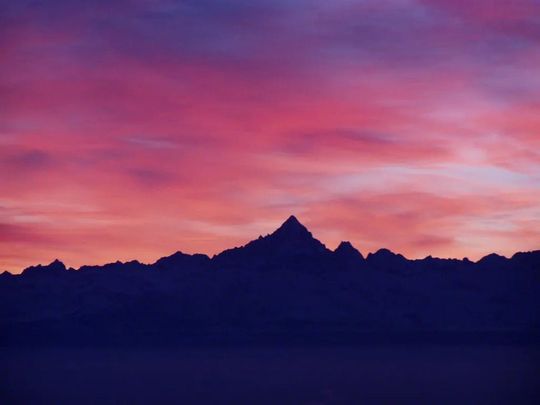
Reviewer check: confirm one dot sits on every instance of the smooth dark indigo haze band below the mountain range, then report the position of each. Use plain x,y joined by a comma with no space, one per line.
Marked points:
376,374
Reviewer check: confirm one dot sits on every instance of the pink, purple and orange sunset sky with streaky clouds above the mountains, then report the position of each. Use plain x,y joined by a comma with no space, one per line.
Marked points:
130,129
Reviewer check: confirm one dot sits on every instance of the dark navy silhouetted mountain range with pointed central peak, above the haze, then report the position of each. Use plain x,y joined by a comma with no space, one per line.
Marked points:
284,287
